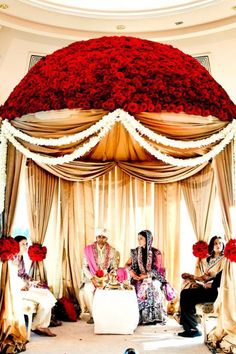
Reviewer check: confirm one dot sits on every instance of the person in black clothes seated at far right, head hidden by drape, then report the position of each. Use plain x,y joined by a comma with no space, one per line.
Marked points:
191,297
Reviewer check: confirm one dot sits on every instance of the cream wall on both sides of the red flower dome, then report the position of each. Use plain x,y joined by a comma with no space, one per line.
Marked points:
16,48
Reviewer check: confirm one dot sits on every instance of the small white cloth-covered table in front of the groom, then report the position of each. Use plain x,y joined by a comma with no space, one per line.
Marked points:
115,311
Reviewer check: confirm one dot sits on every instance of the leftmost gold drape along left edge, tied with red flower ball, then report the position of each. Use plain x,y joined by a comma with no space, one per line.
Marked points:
12,325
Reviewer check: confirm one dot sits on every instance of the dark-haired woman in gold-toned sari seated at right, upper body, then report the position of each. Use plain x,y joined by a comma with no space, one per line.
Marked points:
213,264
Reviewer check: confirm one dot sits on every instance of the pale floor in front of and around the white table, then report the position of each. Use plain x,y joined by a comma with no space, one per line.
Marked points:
78,337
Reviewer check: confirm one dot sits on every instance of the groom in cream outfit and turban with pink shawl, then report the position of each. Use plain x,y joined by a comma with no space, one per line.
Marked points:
98,255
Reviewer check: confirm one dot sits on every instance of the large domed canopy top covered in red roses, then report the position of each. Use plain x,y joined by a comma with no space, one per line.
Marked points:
119,72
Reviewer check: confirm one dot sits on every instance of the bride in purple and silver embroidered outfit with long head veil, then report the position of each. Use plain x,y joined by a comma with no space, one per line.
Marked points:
147,276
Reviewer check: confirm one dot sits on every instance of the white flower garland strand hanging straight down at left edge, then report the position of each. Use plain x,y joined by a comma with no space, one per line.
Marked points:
3,175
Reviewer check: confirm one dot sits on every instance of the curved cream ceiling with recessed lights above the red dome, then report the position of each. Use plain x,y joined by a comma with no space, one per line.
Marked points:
156,18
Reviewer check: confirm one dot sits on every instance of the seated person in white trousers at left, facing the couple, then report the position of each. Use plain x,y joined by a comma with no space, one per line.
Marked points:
35,291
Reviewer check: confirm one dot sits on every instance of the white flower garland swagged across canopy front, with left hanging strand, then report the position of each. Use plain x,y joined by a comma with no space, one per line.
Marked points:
102,127
